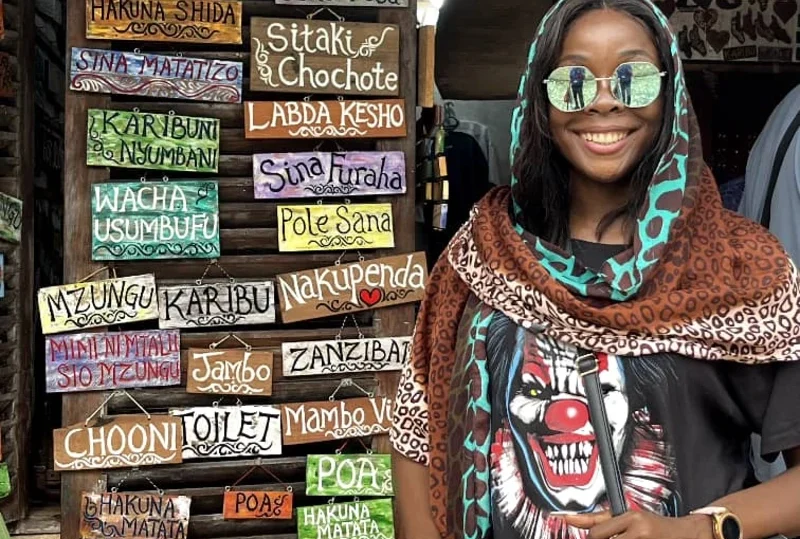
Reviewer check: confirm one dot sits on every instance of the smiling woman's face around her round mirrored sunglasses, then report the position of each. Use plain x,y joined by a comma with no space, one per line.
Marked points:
606,140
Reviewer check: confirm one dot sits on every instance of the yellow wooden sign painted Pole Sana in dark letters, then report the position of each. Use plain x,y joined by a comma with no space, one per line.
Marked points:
333,227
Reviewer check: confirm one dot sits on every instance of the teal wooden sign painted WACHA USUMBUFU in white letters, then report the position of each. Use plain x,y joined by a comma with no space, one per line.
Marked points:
155,220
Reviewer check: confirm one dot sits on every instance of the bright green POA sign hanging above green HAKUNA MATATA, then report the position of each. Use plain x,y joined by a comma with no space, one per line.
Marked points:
349,475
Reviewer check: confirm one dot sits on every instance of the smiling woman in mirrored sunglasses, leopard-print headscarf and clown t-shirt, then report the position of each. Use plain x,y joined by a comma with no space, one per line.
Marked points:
612,240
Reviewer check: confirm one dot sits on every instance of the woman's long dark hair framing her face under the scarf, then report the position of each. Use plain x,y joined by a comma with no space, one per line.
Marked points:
542,191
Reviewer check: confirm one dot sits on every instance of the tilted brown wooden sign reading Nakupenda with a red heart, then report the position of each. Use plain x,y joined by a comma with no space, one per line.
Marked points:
348,288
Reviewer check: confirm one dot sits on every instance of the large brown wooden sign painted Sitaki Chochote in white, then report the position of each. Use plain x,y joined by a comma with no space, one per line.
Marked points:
324,57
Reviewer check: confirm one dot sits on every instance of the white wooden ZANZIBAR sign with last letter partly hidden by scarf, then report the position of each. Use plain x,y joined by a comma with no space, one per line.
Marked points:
341,356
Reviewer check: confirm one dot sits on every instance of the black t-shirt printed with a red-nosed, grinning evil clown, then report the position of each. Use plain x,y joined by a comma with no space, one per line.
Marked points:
681,427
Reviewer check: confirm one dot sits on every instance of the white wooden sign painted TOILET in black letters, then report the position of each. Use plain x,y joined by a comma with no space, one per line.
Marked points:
230,431
